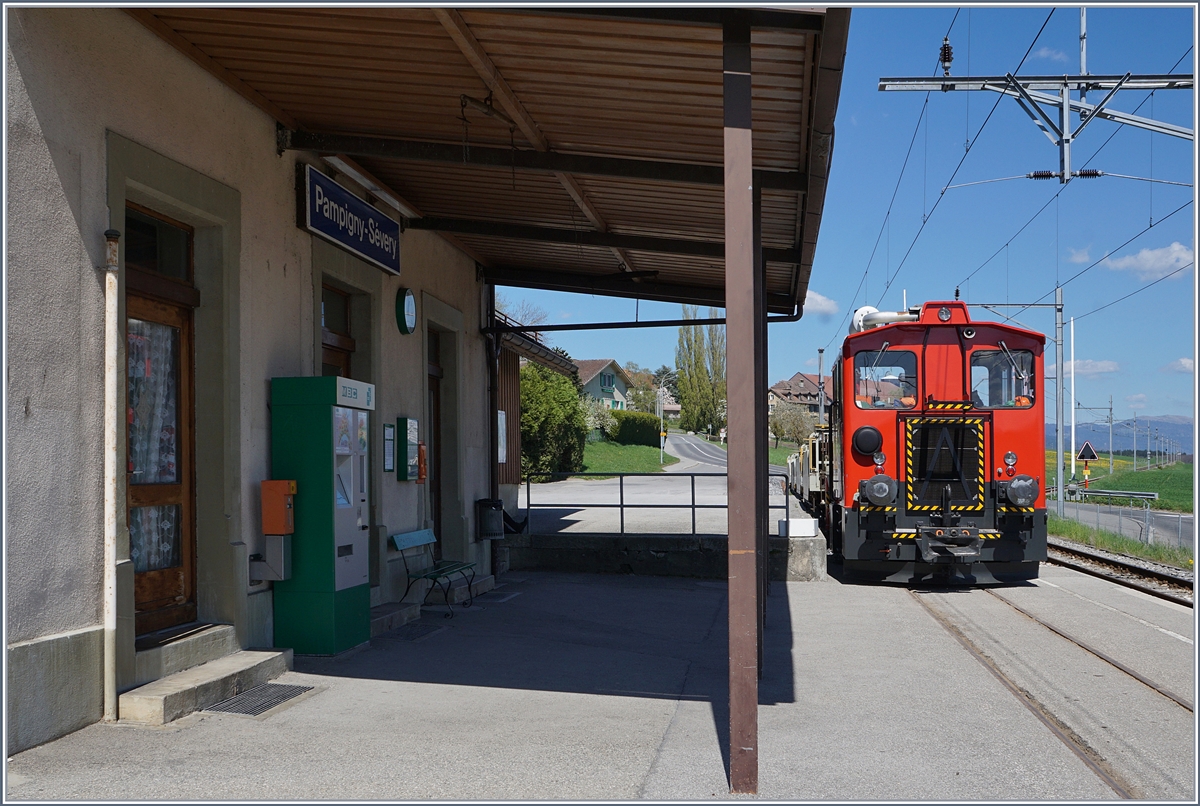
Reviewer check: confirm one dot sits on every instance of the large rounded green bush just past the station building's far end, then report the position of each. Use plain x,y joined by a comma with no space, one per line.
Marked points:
554,426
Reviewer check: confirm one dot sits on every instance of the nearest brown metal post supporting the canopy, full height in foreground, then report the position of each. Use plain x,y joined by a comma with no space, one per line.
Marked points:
743,302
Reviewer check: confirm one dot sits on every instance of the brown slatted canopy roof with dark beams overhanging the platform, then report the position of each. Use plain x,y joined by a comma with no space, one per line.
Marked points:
592,154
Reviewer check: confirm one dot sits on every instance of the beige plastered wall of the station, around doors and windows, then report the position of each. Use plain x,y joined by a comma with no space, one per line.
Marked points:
76,76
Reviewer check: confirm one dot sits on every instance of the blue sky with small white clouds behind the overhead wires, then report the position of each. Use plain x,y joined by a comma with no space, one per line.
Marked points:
1139,351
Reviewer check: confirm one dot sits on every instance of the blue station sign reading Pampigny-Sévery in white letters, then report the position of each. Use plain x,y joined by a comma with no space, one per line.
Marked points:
343,219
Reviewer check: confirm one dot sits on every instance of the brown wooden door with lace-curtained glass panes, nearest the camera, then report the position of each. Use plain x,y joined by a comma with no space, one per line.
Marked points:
161,488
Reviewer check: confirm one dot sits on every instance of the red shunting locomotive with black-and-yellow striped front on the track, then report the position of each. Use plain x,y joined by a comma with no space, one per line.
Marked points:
937,449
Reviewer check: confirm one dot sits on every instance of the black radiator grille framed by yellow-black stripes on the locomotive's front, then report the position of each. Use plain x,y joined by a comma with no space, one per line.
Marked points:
945,452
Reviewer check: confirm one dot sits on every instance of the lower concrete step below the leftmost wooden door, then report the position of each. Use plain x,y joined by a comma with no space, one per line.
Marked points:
196,689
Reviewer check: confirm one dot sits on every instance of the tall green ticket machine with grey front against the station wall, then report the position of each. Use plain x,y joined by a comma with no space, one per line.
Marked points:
321,437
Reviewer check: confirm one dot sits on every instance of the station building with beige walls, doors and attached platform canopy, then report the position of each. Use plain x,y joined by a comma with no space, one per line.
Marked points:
169,130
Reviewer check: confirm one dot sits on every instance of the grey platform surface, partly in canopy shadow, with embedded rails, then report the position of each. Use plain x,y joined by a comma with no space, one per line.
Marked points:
581,687
